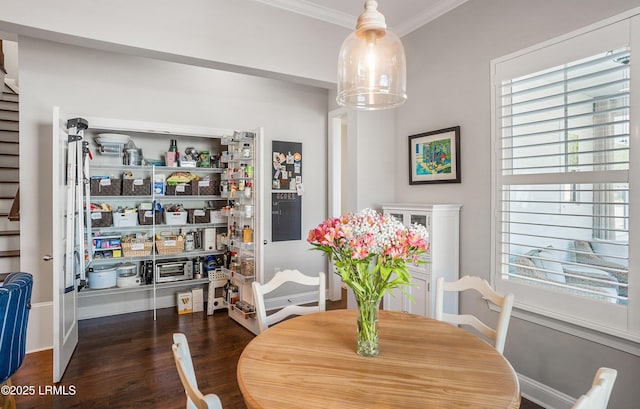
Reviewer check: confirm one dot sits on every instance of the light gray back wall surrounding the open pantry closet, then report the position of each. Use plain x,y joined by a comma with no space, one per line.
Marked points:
95,83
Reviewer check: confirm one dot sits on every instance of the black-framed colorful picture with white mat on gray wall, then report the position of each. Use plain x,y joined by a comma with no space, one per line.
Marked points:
434,157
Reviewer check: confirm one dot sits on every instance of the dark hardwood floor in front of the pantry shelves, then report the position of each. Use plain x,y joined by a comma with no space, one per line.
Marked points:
125,361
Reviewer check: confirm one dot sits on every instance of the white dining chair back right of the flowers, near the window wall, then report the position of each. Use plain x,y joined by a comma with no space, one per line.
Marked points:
498,335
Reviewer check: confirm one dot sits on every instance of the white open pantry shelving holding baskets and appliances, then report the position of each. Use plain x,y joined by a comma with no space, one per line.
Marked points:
115,300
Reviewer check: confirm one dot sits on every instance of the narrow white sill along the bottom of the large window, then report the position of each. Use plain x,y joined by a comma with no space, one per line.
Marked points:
623,342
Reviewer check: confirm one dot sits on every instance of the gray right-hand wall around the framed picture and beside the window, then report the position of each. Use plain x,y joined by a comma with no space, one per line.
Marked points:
449,84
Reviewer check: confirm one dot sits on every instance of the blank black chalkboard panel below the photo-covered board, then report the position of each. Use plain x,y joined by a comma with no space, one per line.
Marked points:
286,216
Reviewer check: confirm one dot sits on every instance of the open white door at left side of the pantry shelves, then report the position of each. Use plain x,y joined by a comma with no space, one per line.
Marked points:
65,321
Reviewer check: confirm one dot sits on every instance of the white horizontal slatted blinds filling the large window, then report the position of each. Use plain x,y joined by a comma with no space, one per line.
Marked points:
567,124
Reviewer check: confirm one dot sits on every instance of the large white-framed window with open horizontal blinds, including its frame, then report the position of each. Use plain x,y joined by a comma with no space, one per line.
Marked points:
562,180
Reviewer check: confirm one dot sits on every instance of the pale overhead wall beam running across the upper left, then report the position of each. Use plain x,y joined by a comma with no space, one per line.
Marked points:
240,35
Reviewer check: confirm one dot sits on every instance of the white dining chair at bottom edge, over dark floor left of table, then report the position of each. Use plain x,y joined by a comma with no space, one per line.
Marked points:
182,356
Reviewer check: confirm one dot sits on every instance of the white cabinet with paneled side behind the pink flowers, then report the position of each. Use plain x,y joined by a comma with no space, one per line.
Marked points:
443,224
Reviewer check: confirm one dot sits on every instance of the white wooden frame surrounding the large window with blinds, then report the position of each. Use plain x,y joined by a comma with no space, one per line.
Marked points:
577,316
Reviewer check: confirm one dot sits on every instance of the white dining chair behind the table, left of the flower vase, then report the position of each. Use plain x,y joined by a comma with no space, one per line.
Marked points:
280,278
